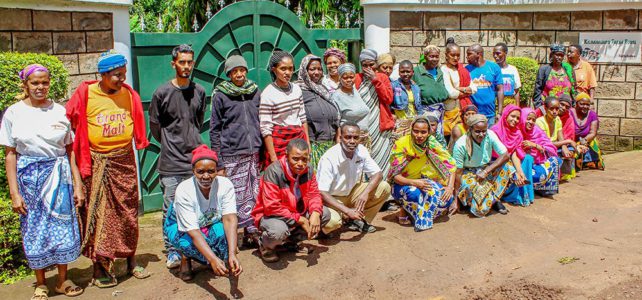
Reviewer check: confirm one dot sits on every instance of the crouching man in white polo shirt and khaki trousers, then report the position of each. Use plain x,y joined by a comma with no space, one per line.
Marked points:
340,174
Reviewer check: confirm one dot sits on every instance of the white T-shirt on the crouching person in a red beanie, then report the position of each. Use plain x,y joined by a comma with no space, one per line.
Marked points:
194,211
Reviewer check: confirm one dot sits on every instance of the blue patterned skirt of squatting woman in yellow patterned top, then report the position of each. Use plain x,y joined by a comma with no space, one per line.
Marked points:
423,206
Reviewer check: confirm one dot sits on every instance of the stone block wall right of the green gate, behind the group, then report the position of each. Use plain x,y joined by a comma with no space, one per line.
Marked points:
619,92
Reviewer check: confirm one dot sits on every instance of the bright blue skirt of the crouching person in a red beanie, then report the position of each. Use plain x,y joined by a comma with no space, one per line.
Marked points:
214,237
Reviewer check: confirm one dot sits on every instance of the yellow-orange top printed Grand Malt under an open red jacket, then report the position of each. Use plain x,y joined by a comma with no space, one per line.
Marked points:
110,123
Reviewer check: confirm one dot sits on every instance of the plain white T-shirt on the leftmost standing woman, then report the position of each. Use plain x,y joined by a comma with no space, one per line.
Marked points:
35,131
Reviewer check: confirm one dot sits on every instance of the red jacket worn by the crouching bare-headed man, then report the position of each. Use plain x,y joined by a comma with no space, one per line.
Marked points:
276,193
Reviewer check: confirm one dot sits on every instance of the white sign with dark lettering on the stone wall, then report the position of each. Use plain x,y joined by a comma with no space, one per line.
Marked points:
612,47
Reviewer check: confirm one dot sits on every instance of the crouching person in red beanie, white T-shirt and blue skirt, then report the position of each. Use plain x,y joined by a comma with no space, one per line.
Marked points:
201,223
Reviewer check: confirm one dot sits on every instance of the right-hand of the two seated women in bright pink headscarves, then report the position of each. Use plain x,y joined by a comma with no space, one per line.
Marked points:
541,159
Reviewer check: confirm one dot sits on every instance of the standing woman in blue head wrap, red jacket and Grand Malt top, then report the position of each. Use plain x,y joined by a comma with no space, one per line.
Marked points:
107,117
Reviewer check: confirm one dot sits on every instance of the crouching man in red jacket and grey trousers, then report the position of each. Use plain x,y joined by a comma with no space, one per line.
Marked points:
289,208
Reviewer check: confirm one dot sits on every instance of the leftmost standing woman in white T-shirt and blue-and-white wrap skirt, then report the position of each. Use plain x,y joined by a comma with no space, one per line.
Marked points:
43,179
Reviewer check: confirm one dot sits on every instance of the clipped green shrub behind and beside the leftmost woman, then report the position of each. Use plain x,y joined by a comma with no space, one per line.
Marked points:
13,265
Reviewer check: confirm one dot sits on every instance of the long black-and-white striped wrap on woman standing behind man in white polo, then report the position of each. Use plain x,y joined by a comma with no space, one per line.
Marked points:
381,141
